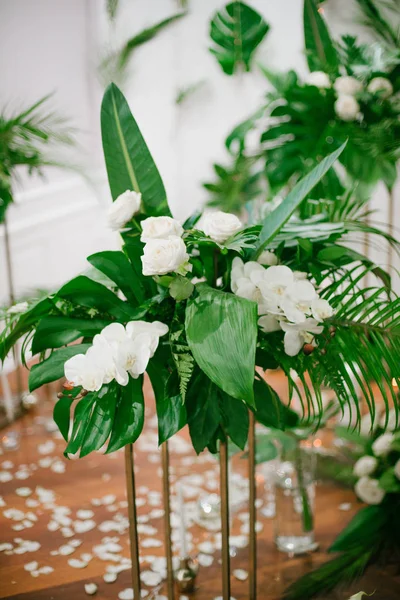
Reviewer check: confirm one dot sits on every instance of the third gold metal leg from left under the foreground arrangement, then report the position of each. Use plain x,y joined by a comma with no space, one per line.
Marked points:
224,491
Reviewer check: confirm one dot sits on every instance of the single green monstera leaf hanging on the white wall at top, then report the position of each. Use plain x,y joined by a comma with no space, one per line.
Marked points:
236,30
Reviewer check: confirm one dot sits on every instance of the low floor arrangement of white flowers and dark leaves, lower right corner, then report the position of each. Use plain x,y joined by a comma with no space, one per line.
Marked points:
371,537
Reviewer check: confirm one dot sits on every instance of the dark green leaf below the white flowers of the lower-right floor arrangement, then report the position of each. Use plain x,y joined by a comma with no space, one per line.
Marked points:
362,529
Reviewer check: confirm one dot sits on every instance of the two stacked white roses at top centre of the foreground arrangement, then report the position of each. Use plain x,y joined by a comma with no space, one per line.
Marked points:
165,250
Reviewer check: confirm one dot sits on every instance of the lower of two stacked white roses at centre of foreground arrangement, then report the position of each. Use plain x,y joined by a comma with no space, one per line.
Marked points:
165,256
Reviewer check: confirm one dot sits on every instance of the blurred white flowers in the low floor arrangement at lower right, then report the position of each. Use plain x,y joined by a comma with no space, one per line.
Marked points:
367,487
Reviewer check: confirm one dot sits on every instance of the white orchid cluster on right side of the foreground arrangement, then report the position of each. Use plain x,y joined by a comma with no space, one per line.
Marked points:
286,301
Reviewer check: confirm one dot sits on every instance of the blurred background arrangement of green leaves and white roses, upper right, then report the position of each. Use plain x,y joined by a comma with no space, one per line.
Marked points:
350,93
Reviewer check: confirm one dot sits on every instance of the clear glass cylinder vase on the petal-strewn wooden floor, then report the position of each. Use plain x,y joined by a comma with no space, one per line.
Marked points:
294,497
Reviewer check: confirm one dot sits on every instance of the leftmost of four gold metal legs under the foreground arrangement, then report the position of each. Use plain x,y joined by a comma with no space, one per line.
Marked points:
133,537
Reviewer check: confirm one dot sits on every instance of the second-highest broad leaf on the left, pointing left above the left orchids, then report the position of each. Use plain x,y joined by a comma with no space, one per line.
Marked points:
83,291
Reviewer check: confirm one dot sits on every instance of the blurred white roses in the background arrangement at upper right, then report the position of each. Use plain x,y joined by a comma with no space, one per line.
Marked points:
347,107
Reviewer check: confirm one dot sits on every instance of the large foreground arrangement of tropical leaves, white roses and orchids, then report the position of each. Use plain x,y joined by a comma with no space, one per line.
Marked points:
203,307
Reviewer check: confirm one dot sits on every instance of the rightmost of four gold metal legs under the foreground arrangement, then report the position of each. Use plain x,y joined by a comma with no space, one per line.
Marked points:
252,510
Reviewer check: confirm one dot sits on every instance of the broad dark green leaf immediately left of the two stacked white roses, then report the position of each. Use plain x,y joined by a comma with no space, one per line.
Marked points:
117,267
